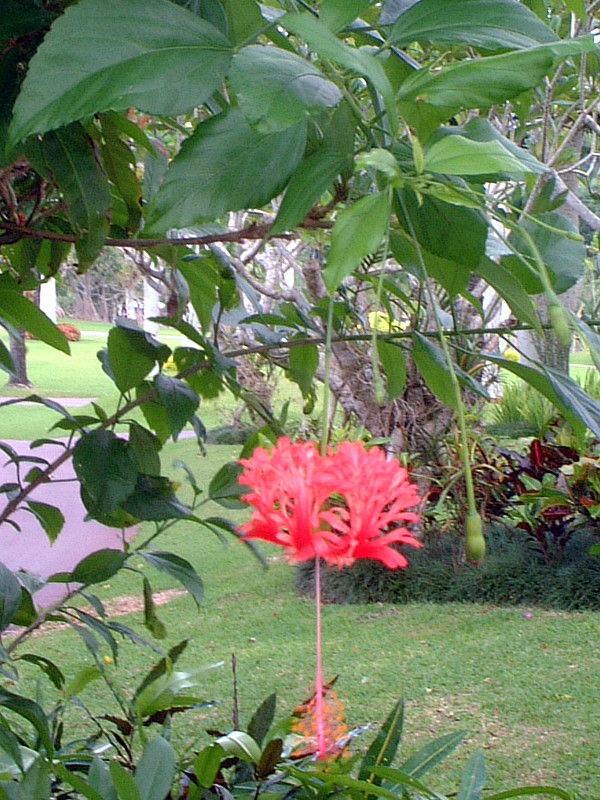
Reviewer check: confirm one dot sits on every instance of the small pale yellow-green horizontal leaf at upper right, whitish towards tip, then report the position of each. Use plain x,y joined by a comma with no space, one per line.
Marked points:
457,155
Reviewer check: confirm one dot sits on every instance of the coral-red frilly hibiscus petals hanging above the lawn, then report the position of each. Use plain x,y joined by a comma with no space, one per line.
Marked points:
340,507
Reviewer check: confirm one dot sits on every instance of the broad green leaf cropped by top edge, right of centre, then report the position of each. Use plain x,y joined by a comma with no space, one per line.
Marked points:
484,24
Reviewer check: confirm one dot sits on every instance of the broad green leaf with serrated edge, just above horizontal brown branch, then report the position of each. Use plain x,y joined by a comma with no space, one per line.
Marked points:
223,166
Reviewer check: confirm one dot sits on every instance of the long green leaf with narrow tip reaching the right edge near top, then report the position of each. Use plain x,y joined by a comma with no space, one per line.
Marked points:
427,97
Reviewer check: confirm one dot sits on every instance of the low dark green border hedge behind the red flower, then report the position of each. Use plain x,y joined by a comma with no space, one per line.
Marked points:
512,573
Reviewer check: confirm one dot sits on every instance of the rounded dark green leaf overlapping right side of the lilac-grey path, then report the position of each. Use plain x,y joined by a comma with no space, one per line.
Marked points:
106,467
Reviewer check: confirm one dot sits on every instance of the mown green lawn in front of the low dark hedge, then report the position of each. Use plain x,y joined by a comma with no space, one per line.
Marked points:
522,682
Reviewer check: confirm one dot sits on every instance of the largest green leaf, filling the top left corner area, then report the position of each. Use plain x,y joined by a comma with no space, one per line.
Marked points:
161,59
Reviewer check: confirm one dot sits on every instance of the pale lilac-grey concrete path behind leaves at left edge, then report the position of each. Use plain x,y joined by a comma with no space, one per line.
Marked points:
30,549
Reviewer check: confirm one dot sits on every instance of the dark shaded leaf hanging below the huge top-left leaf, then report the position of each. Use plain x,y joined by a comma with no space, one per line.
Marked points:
66,157
